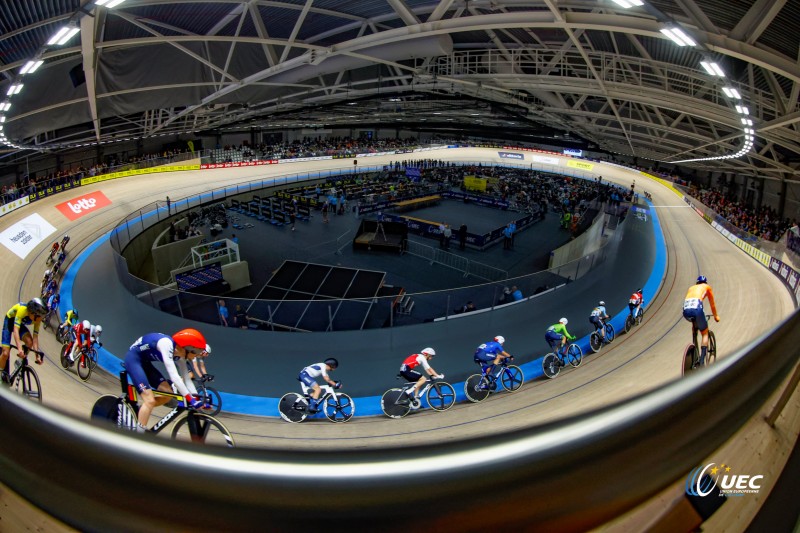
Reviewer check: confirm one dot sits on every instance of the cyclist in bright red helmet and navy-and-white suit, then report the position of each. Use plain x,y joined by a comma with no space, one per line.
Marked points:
185,344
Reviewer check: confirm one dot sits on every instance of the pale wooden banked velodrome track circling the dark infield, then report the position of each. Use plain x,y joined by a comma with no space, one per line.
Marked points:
750,301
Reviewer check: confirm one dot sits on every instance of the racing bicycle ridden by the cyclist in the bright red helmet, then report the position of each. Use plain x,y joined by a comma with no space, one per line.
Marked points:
190,425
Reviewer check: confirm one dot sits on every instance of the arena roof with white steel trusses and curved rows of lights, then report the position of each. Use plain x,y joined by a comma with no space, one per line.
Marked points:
589,72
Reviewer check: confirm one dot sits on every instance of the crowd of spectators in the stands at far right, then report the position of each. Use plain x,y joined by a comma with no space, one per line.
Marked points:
762,222
